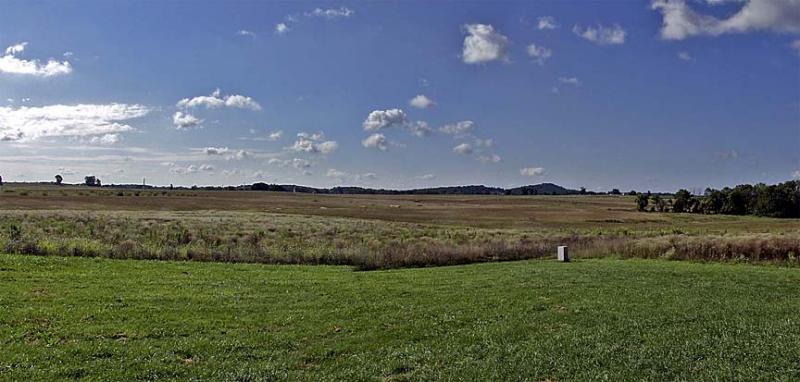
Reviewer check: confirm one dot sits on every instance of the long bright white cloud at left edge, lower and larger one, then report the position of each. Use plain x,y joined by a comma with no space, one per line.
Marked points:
83,120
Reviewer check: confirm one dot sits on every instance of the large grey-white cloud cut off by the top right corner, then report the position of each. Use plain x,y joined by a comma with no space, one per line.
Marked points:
680,21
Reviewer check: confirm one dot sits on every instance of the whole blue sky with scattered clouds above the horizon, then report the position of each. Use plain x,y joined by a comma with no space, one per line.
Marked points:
632,95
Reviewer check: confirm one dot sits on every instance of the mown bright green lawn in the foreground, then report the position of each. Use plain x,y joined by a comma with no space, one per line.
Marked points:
535,320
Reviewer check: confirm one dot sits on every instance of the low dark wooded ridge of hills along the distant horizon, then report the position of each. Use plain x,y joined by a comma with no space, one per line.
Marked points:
538,189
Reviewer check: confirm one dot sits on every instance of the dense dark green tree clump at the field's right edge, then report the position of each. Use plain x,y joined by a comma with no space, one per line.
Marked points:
779,200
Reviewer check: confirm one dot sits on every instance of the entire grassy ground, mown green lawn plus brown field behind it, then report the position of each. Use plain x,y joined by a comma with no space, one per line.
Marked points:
71,313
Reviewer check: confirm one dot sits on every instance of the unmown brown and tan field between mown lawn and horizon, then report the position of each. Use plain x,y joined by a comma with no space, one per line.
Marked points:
370,232
